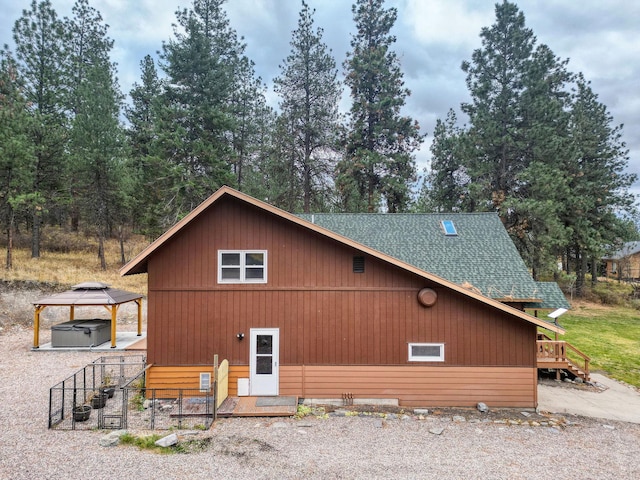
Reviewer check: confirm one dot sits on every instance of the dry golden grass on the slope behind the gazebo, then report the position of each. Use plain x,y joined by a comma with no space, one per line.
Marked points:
67,269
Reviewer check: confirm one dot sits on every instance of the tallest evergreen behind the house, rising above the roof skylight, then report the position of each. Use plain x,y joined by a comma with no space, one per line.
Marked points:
496,80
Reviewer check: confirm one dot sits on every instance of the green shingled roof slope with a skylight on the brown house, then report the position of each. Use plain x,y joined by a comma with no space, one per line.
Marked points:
481,255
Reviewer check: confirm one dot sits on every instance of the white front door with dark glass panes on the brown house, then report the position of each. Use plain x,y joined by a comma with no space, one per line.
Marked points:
263,364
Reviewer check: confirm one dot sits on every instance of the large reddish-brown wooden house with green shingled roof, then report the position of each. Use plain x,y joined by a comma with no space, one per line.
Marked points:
323,307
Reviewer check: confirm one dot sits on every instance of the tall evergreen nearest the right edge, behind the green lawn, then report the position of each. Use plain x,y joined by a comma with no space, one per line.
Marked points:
600,201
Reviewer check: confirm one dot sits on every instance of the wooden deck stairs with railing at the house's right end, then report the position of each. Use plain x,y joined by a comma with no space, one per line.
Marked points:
560,355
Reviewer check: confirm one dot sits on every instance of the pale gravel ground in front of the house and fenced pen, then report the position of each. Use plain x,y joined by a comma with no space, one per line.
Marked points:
482,447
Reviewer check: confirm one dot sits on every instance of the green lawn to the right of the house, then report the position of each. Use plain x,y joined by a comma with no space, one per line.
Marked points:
610,336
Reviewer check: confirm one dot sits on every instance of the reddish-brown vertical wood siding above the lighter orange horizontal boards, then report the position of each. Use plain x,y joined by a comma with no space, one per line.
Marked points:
327,315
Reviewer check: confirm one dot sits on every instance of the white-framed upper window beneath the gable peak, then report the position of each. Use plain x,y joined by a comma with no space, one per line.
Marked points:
242,266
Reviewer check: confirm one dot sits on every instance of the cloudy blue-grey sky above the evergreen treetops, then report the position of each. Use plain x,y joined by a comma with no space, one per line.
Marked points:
601,39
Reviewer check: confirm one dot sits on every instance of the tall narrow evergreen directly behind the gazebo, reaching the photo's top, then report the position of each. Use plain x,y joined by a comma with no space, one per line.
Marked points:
94,100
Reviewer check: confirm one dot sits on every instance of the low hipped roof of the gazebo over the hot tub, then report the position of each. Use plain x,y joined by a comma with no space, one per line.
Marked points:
89,294
